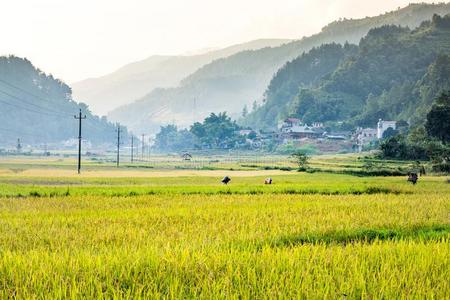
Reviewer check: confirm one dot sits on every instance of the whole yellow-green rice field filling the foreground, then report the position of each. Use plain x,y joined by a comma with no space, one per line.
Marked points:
181,234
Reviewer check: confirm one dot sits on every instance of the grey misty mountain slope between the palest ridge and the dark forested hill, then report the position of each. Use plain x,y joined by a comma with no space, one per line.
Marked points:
229,83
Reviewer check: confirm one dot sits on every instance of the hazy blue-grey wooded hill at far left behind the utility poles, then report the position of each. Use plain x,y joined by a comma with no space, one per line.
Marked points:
39,109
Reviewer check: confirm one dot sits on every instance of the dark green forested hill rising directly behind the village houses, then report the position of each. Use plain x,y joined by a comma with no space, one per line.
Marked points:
395,74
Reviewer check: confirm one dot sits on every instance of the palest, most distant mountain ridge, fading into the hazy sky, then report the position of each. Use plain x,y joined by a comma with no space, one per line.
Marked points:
134,80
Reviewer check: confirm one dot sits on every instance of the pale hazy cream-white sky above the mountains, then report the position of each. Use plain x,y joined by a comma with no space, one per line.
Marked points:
76,39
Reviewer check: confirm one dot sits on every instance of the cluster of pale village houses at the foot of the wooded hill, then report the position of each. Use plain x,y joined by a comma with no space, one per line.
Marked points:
293,130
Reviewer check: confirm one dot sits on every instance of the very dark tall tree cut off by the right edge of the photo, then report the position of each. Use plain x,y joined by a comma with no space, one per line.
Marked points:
438,119
